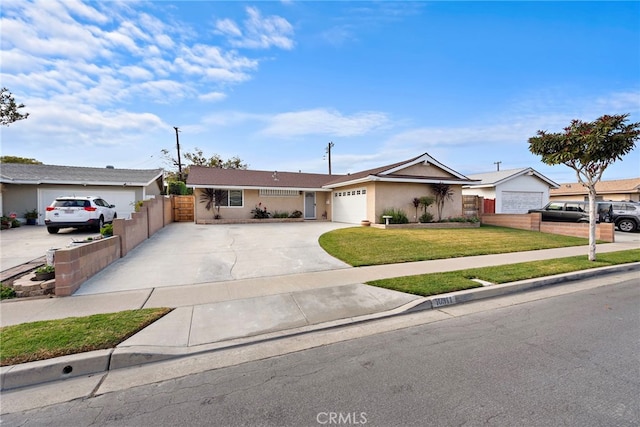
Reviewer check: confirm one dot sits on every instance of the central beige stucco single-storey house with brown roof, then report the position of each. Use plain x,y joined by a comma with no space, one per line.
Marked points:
341,198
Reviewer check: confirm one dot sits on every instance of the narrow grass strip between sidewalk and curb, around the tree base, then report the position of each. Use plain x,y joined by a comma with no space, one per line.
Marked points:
439,283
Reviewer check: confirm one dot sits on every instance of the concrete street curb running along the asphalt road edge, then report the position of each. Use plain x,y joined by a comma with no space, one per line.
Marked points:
33,373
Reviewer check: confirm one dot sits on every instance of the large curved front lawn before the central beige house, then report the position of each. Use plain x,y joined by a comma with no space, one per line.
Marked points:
359,246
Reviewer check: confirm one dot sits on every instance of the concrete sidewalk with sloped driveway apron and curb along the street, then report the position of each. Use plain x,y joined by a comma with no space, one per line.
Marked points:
210,316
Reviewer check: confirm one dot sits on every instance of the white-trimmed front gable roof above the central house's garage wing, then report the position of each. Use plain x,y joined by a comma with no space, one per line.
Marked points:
390,173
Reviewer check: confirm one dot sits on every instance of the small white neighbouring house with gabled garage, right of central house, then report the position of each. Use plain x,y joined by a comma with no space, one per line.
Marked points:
514,190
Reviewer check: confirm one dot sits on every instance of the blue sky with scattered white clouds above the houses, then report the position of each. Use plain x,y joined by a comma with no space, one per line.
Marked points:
274,82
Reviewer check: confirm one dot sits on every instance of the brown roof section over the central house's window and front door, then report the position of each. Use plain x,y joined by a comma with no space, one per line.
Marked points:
202,176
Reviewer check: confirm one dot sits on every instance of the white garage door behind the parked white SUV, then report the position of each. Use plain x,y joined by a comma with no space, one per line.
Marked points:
123,199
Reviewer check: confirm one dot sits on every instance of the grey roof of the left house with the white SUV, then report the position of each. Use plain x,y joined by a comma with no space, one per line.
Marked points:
17,173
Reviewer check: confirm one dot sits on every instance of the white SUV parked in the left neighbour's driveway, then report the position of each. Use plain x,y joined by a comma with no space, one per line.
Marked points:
74,211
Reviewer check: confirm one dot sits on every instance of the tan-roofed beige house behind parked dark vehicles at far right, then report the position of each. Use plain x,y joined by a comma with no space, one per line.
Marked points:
616,190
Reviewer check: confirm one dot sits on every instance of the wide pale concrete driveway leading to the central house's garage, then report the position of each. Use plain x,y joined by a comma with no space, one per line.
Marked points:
187,253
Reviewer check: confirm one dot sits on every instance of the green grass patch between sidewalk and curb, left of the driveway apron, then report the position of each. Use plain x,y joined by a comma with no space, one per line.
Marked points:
28,342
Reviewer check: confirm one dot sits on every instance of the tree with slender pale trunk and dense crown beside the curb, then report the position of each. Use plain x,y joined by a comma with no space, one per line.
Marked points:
588,148
